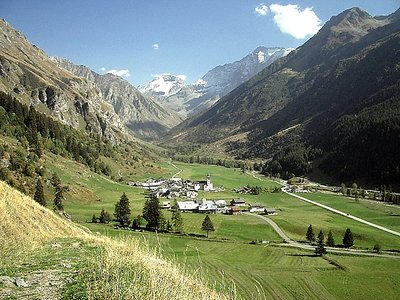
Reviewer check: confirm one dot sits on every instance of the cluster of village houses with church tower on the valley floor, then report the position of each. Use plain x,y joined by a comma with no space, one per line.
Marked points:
175,189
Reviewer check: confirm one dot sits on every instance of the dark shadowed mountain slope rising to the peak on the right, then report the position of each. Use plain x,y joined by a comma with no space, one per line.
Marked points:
348,68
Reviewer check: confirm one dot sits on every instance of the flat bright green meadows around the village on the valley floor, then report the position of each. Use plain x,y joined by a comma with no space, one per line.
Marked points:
265,270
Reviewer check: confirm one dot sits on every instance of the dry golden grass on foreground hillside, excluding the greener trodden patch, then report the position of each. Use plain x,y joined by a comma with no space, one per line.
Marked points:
119,270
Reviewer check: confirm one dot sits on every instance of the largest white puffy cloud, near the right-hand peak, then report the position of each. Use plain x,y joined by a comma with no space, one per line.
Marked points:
292,20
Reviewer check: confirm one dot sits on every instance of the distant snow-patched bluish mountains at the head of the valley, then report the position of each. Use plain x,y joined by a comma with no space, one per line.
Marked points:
216,83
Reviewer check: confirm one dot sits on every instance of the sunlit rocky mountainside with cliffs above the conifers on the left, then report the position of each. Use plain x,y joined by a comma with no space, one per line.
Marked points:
28,74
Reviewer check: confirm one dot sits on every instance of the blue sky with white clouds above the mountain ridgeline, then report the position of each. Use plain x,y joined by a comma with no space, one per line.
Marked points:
141,38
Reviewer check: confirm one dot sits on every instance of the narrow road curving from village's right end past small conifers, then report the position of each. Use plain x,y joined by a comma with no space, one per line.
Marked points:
296,244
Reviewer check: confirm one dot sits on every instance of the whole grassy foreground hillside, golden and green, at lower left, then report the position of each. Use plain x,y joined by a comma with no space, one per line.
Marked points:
56,259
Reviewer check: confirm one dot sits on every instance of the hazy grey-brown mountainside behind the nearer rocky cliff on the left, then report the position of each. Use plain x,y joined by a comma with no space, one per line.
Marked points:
142,115
